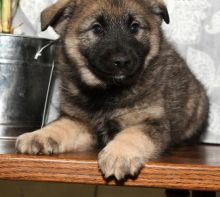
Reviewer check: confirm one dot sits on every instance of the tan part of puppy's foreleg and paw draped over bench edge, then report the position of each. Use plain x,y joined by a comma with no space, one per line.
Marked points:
127,153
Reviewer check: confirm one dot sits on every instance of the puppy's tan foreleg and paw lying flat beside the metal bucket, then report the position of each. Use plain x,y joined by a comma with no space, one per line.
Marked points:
60,136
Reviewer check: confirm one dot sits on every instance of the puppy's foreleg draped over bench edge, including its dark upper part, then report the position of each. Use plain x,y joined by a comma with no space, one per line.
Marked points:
131,148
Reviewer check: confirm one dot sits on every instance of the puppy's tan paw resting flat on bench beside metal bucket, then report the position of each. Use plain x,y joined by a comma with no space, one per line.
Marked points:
36,143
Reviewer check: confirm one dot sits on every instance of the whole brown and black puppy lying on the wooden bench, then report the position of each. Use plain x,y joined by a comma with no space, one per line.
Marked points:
124,88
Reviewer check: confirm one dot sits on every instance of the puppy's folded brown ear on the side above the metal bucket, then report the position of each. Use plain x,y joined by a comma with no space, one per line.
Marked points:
51,15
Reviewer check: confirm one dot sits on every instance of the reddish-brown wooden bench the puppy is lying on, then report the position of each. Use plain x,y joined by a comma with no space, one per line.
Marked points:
186,168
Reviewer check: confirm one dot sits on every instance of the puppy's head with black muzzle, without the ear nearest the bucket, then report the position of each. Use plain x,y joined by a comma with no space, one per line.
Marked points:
111,41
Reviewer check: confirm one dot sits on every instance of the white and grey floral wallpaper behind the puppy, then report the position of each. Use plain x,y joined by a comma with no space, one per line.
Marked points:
194,30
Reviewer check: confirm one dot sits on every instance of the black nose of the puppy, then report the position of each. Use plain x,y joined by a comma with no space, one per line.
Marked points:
121,61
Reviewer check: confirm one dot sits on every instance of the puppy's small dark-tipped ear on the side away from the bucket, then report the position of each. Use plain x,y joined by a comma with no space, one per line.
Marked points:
159,8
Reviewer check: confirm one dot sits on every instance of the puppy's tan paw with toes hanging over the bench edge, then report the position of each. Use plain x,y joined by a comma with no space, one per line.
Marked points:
120,159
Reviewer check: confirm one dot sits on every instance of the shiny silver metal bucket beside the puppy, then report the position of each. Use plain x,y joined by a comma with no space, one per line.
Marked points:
24,83
